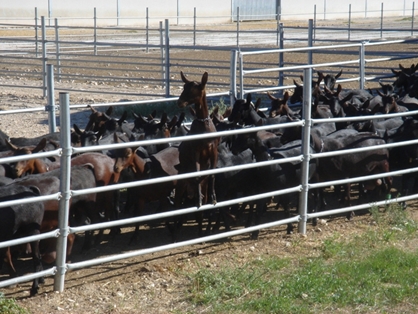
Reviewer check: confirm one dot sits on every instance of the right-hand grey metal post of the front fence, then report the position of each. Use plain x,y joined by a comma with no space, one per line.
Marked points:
303,196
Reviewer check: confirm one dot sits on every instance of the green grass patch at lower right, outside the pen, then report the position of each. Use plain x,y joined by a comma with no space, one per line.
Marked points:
366,273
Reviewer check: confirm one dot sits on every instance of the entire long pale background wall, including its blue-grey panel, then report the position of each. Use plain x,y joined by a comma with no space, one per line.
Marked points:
181,12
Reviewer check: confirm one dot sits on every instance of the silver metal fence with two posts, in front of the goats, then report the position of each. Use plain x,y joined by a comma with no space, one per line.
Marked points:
65,151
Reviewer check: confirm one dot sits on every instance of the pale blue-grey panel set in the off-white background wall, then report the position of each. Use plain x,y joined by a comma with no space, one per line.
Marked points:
250,10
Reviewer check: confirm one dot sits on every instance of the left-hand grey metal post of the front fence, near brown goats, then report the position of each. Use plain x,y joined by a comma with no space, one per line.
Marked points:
64,203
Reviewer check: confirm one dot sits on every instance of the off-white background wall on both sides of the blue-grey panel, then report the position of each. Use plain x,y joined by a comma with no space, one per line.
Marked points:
133,12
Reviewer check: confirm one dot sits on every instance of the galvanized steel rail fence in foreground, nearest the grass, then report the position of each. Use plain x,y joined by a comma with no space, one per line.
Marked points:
304,187
